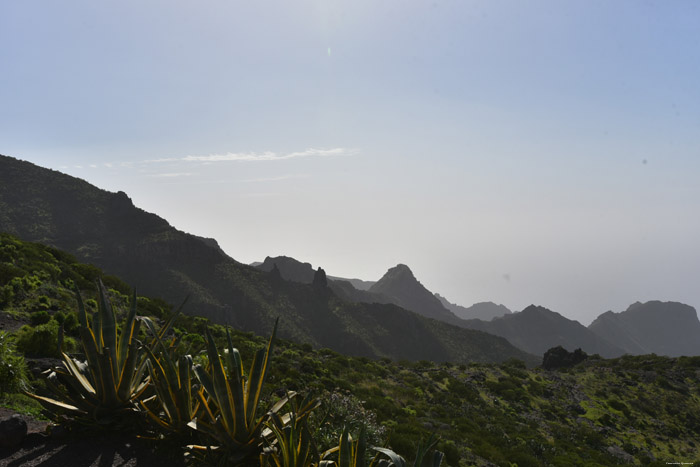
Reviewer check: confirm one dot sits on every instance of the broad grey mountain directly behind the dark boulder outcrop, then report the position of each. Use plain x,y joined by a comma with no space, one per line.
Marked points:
537,329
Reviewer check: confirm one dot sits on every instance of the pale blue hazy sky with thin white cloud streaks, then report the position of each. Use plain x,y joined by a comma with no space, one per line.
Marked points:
542,152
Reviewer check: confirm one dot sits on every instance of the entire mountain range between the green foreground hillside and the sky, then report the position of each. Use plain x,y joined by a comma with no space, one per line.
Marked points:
354,316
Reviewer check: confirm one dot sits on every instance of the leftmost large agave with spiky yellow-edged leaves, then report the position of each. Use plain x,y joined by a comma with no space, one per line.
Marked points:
105,387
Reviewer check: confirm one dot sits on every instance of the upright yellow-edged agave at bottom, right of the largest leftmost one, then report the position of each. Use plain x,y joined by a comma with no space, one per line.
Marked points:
229,404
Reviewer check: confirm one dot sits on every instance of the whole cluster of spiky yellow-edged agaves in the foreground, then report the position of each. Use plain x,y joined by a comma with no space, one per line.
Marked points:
123,377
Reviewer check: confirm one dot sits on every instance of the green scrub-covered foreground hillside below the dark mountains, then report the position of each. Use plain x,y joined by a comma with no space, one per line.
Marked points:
633,410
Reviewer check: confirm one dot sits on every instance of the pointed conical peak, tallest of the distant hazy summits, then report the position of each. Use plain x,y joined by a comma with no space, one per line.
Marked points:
403,289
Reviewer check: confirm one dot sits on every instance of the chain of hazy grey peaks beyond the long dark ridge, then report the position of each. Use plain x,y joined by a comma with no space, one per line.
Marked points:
535,329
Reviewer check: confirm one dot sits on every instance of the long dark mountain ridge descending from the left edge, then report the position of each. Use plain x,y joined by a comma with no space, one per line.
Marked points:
107,230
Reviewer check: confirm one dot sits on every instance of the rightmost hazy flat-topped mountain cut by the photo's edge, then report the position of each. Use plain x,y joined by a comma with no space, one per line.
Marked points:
663,328
